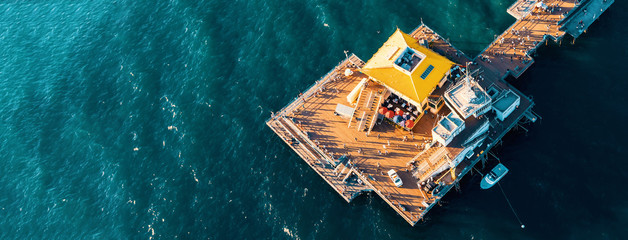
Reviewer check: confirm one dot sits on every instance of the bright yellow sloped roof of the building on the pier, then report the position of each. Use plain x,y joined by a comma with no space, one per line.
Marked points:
382,67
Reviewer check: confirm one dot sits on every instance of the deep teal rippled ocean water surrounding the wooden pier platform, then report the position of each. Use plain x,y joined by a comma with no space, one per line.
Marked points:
145,120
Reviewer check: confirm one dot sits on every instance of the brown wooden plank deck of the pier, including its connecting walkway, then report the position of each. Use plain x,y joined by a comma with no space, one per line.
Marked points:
312,128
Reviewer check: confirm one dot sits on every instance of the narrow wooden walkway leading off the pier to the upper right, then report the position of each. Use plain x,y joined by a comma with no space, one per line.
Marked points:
510,53
